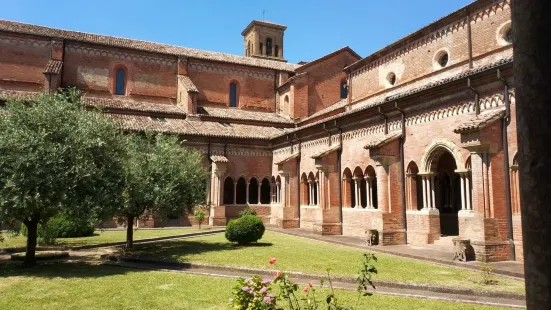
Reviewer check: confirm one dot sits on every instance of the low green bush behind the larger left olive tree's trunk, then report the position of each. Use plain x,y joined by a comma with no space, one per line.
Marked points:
61,227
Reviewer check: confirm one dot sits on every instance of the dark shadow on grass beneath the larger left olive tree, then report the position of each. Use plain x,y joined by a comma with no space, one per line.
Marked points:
63,270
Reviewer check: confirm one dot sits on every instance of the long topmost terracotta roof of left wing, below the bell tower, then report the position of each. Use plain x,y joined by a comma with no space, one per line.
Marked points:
144,46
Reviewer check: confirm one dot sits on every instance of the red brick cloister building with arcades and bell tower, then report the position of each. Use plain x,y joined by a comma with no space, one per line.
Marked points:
417,140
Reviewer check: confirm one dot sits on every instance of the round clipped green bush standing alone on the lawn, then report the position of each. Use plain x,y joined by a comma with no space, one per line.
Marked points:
245,230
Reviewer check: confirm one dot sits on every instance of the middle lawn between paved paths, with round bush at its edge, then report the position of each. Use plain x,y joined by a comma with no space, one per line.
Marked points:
310,256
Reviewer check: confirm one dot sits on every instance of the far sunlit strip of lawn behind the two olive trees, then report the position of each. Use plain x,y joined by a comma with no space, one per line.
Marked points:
103,236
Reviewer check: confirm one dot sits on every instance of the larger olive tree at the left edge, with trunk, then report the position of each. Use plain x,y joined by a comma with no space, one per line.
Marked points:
57,158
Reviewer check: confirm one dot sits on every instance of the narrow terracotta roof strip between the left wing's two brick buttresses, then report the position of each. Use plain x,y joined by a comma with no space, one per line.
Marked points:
131,105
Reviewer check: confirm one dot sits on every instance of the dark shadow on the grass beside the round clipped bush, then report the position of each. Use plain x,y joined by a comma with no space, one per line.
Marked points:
176,250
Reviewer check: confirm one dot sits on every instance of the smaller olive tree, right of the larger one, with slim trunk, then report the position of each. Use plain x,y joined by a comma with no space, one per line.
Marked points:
161,177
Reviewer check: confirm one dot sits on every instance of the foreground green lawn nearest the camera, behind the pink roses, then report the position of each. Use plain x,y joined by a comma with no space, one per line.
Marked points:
75,286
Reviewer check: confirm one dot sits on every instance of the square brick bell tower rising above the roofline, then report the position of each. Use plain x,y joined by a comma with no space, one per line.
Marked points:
264,39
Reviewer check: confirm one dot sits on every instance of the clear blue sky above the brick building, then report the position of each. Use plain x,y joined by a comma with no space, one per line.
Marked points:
315,27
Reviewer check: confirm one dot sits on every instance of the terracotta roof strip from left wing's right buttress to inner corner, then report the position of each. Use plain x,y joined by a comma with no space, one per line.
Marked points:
238,114
